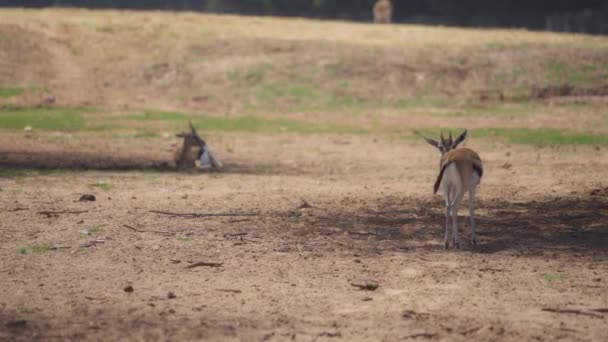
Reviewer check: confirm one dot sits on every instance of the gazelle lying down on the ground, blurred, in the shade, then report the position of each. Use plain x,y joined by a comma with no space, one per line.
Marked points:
195,152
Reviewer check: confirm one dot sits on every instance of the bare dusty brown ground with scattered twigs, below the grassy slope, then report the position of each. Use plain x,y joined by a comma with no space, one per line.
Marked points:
286,272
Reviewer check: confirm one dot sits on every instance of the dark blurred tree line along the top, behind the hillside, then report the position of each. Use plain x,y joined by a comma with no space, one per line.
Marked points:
589,16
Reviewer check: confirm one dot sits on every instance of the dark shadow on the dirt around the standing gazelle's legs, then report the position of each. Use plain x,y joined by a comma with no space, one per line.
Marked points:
551,225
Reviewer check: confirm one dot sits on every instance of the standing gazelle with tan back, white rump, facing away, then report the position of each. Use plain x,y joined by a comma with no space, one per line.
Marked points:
460,170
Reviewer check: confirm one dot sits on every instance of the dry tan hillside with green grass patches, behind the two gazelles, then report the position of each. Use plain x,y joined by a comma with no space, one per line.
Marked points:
305,76
